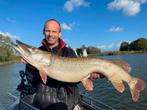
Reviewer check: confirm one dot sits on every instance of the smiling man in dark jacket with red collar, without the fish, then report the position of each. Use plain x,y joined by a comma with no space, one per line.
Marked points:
52,94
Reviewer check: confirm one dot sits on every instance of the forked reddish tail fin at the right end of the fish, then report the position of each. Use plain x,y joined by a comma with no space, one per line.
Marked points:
136,86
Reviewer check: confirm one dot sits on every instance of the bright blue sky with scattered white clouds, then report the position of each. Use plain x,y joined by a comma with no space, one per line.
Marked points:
100,23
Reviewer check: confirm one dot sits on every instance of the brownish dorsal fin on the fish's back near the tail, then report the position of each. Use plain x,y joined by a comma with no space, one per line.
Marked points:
124,65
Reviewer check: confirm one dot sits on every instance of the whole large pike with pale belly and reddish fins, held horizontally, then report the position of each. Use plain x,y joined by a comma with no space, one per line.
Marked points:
80,69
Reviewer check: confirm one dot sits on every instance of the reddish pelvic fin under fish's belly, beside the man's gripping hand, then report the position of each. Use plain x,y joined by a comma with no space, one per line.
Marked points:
88,84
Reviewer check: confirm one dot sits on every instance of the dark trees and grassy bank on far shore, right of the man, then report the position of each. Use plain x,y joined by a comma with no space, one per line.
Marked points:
126,47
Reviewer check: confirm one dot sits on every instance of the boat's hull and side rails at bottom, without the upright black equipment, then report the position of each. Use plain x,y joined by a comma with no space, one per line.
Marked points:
88,103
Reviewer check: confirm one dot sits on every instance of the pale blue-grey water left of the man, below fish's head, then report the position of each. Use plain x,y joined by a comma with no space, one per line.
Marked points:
9,79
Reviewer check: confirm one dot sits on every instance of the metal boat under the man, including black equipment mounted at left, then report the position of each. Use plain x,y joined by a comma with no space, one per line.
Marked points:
23,102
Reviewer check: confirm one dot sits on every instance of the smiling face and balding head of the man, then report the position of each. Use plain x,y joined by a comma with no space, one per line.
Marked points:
52,33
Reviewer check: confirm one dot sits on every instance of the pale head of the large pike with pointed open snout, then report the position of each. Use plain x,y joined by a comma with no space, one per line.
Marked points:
33,55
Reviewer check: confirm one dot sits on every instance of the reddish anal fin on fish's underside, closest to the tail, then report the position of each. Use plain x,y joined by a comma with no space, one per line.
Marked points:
118,85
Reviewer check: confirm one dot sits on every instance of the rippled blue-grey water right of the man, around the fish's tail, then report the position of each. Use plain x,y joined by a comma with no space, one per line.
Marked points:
105,92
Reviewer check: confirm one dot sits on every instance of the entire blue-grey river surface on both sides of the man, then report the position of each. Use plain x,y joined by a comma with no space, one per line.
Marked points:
9,79
